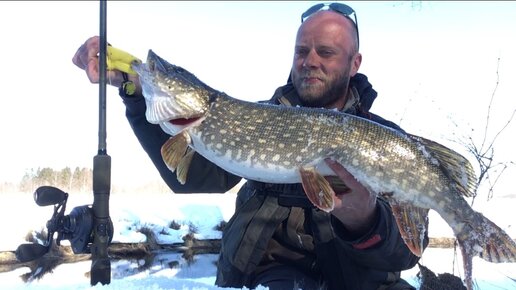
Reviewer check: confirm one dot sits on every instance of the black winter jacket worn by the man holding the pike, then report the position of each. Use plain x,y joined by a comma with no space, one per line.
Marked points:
276,225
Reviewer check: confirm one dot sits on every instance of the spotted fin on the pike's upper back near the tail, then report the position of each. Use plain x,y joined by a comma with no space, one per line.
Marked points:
455,166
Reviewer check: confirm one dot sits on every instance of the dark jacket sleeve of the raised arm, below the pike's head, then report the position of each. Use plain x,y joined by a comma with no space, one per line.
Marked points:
203,176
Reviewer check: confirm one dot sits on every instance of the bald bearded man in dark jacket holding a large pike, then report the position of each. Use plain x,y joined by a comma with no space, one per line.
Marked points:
276,238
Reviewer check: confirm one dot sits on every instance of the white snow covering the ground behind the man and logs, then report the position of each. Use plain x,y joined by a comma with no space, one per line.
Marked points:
203,213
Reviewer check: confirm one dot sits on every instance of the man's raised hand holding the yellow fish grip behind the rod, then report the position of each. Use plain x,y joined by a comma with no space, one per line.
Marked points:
87,58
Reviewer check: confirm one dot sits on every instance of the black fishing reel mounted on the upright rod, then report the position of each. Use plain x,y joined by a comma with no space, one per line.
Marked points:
77,226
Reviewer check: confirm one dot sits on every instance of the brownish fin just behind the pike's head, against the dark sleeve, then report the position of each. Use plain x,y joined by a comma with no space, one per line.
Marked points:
174,149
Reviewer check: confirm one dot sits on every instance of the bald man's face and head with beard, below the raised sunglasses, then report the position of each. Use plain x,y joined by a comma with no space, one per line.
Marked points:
324,60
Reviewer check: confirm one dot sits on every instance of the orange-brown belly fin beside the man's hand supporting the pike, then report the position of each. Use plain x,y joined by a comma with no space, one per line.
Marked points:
317,189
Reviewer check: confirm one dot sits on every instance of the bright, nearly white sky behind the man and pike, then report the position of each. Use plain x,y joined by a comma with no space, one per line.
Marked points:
434,64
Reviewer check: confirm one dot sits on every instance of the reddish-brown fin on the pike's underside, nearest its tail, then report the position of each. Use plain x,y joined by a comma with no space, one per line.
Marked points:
412,223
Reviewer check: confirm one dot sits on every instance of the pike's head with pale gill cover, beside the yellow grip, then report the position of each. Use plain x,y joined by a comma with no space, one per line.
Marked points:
174,96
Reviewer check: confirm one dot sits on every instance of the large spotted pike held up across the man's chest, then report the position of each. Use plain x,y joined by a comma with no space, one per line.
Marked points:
281,144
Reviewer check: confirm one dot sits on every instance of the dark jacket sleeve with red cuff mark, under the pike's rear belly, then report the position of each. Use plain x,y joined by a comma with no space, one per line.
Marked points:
382,247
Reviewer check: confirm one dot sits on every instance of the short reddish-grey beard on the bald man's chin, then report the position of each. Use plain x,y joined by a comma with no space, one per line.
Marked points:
324,93
